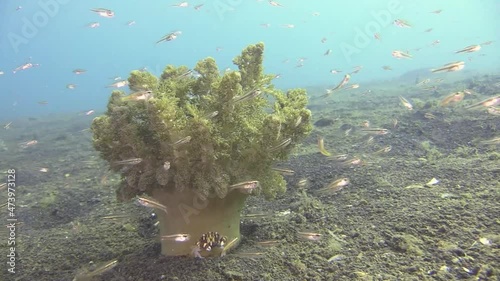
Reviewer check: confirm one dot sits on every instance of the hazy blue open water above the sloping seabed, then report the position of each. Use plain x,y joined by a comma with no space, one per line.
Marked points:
53,33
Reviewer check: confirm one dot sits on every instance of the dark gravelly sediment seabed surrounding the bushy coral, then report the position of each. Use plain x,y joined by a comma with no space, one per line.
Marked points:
386,225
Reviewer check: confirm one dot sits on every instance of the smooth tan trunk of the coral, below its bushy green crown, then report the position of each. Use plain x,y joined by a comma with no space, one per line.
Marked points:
188,213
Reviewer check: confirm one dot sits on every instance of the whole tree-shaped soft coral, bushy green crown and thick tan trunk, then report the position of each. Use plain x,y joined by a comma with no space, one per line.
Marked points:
199,142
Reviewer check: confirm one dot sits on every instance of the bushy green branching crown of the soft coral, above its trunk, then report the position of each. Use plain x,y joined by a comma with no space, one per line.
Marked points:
209,130
